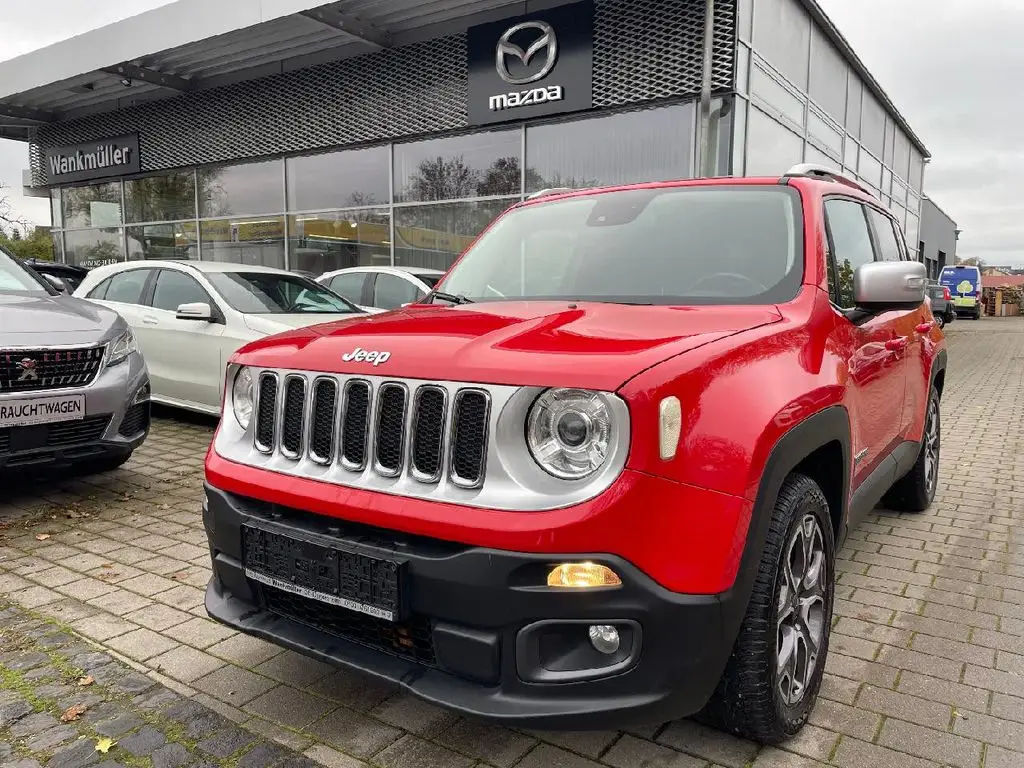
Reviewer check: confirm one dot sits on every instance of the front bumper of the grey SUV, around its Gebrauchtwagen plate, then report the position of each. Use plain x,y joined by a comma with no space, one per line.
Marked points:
117,422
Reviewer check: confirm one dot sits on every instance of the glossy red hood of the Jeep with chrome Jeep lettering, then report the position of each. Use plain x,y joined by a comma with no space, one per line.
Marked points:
592,346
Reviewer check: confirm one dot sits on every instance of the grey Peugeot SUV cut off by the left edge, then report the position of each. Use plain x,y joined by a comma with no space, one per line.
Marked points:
74,389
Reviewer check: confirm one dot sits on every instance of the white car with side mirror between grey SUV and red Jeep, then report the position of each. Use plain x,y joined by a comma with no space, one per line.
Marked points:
190,318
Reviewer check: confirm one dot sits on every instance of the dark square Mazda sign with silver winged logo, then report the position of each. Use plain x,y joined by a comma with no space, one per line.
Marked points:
532,66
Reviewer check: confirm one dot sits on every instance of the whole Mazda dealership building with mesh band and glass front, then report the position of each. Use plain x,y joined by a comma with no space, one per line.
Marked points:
375,133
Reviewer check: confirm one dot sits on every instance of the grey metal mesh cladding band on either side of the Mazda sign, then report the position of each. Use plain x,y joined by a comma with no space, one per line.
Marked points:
644,51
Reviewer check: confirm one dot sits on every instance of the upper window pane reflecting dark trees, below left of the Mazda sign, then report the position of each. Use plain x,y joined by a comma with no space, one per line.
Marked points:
474,166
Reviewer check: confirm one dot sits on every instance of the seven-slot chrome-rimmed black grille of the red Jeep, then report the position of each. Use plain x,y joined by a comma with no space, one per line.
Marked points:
391,428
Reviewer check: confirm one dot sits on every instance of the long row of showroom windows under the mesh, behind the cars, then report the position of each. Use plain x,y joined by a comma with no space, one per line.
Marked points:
412,204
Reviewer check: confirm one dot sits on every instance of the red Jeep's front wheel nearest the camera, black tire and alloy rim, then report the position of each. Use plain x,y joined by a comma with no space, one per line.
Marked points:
774,676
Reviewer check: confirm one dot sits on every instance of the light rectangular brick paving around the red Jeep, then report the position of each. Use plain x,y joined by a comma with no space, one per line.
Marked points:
926,668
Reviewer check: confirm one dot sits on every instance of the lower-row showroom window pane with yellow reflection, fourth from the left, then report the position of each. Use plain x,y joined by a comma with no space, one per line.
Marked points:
325,242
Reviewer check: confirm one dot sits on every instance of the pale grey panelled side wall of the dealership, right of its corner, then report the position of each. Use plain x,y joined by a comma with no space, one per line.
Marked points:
799,101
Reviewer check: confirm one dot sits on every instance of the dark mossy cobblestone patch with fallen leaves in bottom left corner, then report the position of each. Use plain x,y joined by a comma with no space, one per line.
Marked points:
65,705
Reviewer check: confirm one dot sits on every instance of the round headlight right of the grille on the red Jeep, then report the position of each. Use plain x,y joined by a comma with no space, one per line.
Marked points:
569,433
